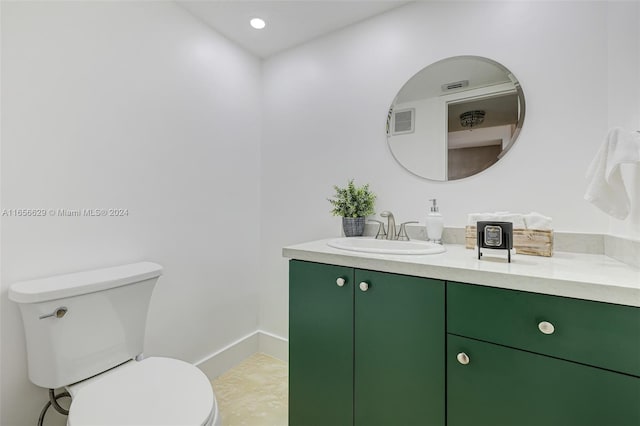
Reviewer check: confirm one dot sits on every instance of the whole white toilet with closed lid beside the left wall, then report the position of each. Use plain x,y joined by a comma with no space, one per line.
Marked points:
85,332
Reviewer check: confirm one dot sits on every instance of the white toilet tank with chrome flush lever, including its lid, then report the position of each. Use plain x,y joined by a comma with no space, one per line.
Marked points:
79,325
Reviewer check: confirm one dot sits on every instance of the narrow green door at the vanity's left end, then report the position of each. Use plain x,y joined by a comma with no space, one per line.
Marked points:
320,345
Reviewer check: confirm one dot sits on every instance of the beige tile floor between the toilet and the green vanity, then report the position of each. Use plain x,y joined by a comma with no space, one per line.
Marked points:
254,393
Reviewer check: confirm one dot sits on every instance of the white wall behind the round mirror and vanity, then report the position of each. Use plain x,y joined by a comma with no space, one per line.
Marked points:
326,103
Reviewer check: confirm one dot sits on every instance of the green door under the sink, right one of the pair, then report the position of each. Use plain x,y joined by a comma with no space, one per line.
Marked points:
399,350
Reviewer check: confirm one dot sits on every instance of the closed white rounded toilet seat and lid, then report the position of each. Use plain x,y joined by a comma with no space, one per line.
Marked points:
155,391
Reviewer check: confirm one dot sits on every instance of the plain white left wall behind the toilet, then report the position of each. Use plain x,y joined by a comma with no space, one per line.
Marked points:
131,105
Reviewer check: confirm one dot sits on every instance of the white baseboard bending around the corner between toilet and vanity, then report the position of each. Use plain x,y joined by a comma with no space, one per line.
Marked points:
226,358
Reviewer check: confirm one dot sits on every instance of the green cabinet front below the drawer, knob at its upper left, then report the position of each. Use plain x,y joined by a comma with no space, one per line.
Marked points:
501,386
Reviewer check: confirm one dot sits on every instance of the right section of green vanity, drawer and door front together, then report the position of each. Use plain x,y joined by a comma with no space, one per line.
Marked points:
518,358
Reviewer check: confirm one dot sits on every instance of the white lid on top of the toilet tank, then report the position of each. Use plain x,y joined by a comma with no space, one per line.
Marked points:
68,285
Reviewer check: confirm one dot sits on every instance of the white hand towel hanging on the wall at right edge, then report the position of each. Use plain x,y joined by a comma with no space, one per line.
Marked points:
605,188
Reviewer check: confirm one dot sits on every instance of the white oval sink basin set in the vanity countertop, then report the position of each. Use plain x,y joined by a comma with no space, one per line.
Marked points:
371,245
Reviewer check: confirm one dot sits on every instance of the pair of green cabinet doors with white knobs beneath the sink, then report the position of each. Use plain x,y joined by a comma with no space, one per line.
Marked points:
366,348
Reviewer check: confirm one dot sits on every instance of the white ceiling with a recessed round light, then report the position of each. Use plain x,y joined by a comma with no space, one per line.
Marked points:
289,23
